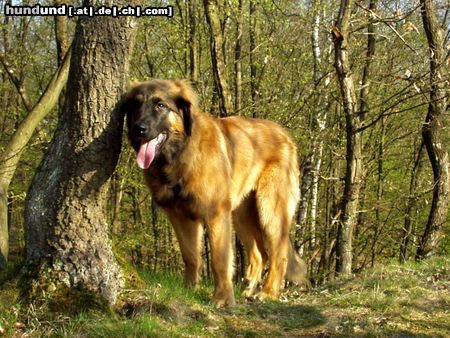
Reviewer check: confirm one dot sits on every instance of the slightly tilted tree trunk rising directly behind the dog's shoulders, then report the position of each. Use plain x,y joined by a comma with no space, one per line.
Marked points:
218,58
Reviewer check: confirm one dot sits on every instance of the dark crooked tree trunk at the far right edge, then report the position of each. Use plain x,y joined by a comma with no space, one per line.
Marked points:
431,133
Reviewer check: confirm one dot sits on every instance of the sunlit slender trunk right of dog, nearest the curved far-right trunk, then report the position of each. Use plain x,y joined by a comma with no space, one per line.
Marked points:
350,199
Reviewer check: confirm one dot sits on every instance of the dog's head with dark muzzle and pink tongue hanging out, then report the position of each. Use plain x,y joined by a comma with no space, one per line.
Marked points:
159,114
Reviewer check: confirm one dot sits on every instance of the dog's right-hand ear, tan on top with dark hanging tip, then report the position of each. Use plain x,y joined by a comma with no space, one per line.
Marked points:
186,102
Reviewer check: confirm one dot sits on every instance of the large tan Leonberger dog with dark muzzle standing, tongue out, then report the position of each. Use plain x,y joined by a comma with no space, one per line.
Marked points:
214,173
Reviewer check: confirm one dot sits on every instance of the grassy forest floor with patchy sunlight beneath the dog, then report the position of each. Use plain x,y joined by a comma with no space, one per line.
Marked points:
392,300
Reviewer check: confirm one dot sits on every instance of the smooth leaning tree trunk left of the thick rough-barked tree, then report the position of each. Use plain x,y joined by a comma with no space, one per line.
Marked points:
10,157
